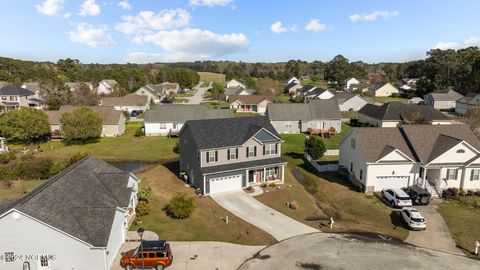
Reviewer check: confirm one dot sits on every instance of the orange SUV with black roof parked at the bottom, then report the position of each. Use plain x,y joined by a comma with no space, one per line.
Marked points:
151,254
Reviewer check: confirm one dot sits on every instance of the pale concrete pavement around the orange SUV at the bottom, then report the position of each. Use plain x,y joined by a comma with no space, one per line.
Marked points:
202,255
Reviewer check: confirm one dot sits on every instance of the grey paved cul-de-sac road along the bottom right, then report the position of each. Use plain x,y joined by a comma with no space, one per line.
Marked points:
330,251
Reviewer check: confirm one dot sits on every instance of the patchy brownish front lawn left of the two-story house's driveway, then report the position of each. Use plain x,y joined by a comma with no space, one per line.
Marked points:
205,224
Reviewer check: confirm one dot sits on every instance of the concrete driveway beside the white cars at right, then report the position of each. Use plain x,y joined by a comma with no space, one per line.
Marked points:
436,236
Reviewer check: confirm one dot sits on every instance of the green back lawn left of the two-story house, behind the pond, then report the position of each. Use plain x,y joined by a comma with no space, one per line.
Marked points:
123,148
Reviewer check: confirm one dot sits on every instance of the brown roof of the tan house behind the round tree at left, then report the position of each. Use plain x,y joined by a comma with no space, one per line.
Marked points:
108,114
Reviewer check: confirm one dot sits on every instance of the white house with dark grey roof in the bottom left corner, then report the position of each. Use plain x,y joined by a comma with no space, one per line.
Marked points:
77,219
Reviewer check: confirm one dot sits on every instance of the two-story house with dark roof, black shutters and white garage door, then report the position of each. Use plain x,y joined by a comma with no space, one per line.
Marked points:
221,155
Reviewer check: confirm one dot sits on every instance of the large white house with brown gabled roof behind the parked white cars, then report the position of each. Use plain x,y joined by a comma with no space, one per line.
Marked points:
434,157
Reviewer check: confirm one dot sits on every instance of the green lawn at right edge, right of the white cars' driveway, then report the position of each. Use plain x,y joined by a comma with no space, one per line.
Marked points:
463,221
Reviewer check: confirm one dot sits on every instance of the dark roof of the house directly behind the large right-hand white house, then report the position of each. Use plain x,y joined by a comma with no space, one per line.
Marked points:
396,111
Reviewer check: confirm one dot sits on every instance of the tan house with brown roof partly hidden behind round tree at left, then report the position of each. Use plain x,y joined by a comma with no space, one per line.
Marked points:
113,120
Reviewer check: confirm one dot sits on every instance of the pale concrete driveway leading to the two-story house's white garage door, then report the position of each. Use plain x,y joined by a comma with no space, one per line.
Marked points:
256,213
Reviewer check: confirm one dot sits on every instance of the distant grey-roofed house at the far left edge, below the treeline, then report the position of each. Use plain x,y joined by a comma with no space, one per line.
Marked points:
14,96
